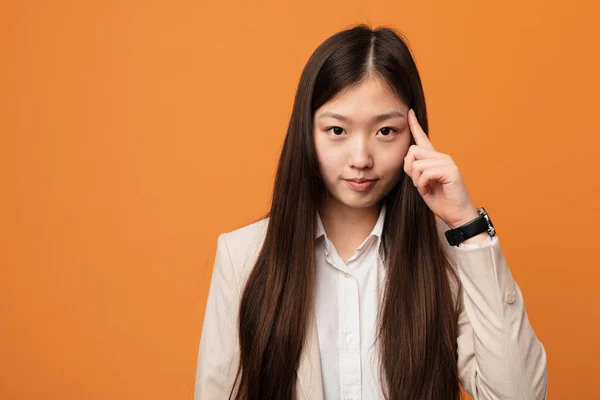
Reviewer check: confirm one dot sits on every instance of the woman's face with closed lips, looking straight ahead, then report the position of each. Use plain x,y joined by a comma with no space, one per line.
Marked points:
362,133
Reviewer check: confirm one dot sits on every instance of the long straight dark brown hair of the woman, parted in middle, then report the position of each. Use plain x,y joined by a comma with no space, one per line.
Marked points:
418,321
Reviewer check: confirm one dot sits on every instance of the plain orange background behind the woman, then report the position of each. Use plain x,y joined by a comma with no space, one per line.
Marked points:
133,133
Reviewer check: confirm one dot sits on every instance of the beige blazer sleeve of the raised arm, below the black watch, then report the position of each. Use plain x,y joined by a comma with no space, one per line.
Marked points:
499,355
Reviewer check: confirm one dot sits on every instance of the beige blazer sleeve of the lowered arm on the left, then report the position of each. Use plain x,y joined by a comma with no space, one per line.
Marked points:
218,356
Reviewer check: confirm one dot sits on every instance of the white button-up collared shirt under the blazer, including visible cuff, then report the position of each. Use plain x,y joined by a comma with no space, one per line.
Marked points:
347,300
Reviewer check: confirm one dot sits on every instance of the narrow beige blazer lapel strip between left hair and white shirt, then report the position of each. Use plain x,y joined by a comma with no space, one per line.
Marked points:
310,384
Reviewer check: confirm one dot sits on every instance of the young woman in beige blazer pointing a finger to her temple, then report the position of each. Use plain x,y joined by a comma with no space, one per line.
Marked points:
358,284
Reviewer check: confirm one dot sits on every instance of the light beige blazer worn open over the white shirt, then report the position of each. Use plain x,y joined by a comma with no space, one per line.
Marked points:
499,355
